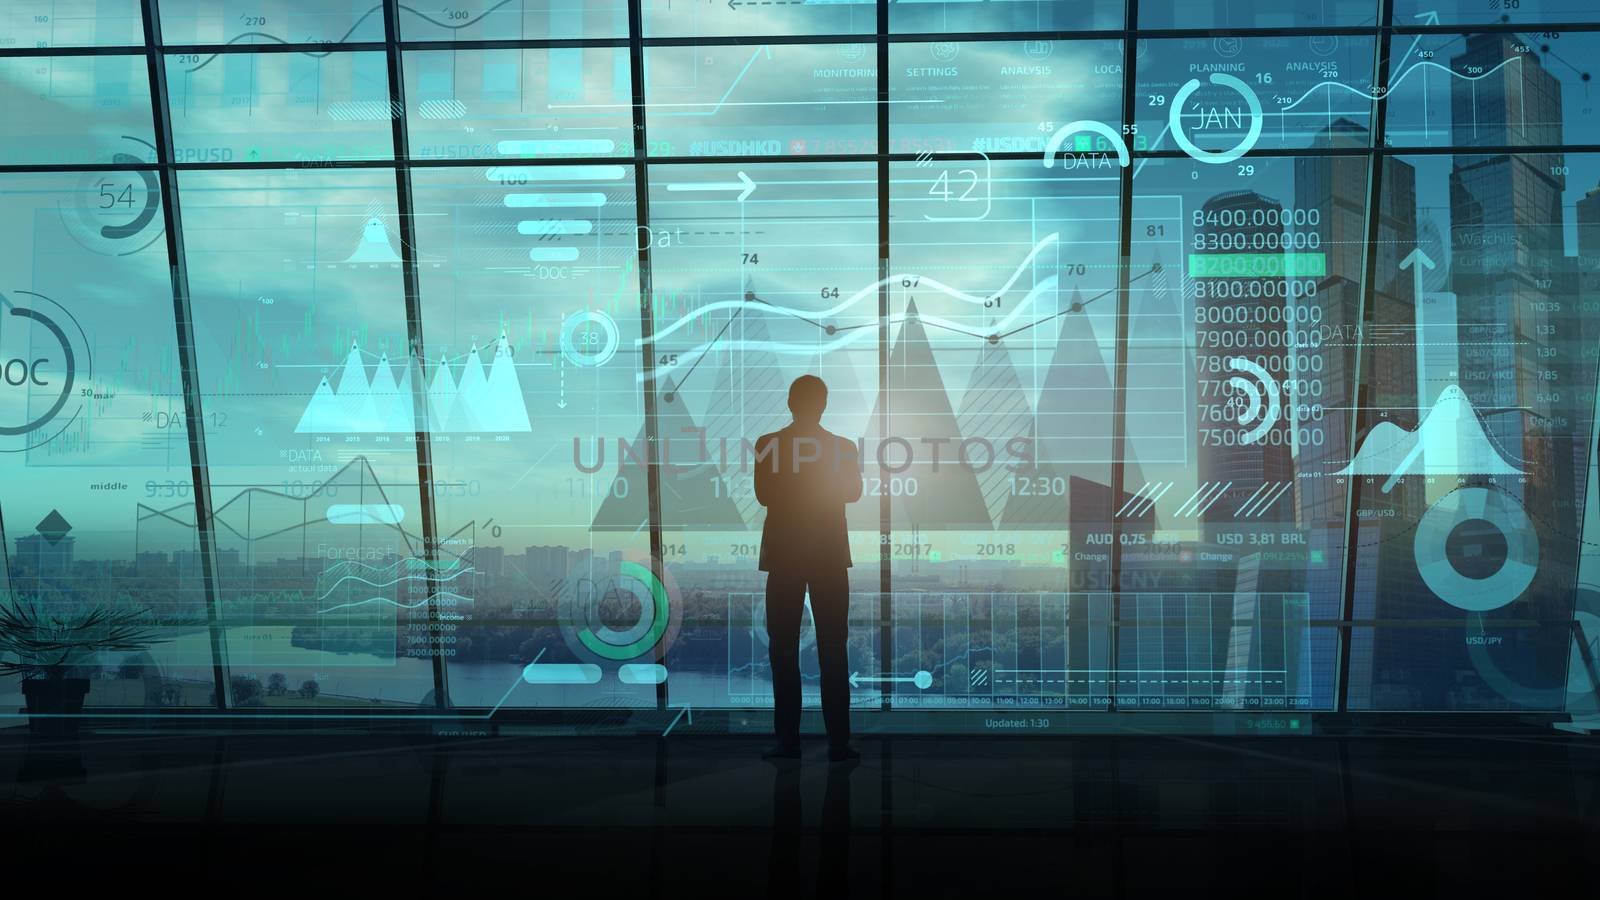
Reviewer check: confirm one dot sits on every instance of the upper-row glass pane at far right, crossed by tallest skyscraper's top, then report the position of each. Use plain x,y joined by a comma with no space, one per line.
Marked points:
1494,90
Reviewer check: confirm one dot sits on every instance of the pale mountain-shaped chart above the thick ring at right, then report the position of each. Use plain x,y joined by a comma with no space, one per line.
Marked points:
1450,441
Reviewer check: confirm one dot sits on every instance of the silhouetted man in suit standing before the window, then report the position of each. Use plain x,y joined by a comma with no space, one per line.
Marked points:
804,478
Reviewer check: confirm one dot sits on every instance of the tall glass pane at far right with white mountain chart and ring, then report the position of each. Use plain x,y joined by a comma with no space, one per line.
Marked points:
1497,456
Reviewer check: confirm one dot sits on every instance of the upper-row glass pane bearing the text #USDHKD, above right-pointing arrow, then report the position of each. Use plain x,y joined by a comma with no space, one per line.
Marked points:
780,100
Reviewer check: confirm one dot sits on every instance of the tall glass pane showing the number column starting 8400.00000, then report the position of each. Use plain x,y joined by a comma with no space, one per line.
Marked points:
1247,513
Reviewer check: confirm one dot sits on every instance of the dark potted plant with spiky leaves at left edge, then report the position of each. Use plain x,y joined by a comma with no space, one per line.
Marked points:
47,648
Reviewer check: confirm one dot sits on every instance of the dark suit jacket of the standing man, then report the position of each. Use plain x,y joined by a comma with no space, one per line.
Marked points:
804,478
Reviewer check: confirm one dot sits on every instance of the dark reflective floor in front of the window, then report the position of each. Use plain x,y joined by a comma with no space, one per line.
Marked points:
1377,816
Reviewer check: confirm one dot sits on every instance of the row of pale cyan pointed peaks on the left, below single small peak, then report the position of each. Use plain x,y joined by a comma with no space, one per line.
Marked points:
465,403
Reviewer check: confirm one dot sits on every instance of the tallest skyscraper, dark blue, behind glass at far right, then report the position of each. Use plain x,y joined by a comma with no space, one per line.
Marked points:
1516,331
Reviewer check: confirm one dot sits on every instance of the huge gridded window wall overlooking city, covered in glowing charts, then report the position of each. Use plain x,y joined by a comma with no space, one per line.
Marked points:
410,361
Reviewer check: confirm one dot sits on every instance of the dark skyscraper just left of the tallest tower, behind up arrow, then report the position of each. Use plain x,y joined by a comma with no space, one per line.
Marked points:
1369,376
